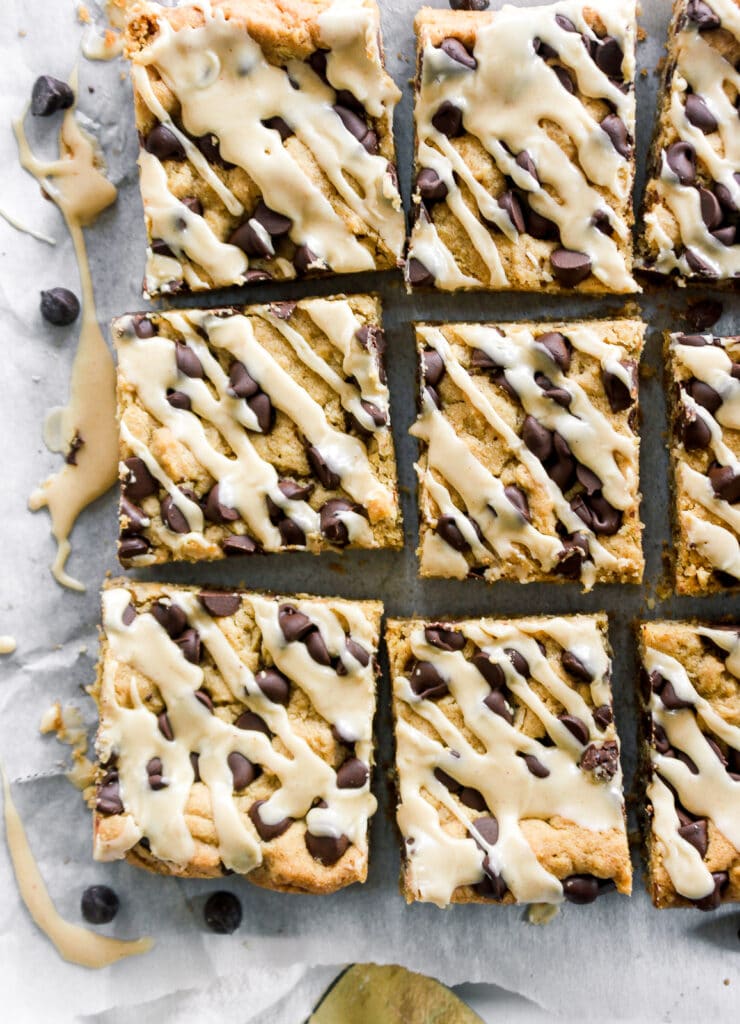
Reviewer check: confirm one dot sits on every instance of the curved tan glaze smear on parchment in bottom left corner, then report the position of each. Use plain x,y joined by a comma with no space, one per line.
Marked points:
74,944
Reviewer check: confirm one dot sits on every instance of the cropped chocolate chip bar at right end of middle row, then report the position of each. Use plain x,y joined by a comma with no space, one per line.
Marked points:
705,388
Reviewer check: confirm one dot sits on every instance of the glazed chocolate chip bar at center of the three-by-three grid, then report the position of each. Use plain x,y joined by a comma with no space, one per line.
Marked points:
530,460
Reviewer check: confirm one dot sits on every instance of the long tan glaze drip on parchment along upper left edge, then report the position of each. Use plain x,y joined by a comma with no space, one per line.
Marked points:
81,192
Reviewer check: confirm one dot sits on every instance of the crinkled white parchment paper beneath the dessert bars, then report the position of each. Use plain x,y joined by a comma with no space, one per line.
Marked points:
619,959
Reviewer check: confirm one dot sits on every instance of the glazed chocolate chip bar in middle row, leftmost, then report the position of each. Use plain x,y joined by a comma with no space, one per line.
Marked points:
264,429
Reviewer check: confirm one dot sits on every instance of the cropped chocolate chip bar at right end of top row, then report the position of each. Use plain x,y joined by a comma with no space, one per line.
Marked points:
693,195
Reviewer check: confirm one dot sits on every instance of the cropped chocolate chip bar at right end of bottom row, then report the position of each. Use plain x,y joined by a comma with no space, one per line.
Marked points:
690,696
